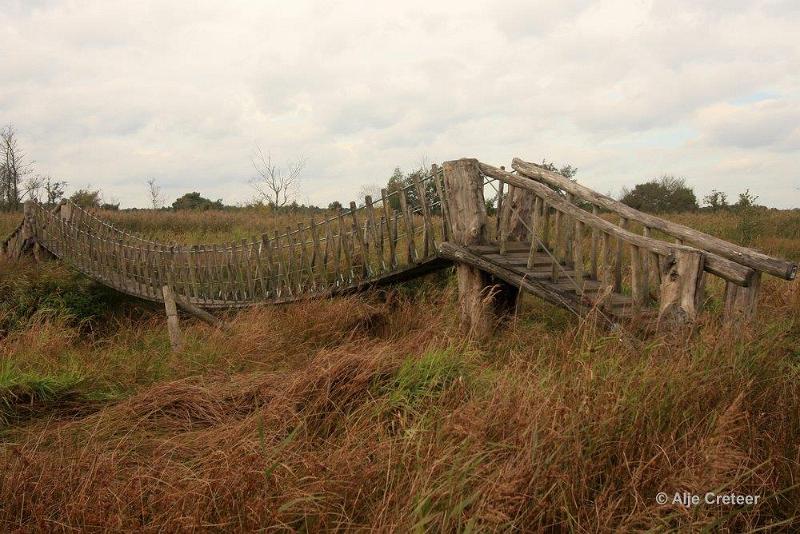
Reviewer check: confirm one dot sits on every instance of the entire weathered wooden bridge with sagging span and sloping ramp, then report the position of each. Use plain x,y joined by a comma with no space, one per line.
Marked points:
549,236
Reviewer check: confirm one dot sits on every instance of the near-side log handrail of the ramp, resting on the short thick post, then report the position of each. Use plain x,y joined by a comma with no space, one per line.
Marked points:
719,266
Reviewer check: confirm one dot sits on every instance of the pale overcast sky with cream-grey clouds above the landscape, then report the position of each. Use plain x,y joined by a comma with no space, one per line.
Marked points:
109,94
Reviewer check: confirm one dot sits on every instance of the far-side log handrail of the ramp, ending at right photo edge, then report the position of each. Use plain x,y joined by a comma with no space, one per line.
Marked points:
741,255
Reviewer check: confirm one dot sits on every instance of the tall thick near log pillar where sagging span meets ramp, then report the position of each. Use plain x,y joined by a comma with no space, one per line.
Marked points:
482,300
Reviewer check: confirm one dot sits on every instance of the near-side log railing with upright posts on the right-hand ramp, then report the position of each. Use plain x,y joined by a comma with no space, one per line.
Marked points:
593,249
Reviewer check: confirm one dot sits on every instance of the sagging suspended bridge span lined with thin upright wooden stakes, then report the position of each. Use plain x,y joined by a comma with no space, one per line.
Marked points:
376,240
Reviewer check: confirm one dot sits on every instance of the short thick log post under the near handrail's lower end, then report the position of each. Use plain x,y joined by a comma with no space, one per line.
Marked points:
682,283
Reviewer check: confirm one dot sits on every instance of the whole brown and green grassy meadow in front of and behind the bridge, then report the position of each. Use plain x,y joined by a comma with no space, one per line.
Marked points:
372,412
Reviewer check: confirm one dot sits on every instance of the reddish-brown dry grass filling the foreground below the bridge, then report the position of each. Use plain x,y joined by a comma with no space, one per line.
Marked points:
352,415
